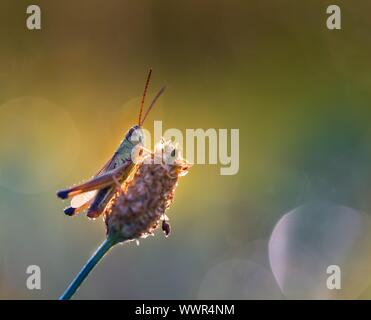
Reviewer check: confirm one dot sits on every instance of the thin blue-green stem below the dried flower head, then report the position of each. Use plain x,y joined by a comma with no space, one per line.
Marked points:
89,266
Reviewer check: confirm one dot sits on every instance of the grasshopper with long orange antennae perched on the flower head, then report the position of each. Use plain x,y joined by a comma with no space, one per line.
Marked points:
95,193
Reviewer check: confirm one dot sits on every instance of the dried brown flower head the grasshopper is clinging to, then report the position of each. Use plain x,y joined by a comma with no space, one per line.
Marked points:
137,210
